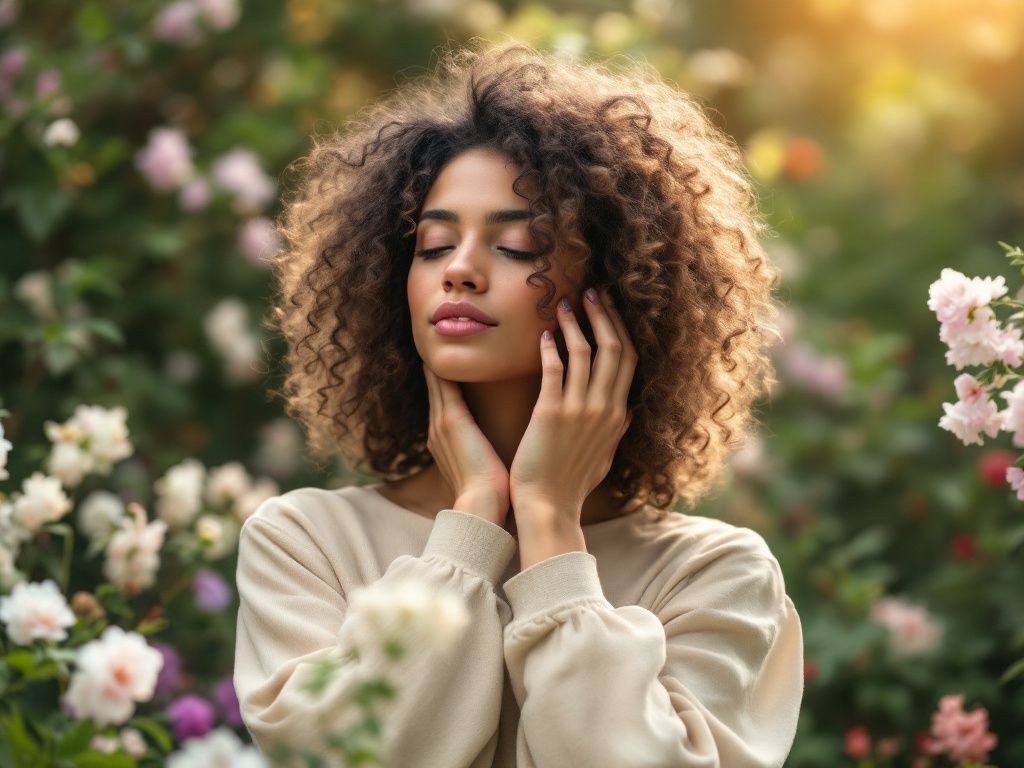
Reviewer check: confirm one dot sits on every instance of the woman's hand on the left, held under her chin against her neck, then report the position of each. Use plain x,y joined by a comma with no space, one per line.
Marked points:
464,456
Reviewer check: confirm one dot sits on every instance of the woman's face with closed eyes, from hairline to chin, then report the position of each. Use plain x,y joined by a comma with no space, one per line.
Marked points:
478,223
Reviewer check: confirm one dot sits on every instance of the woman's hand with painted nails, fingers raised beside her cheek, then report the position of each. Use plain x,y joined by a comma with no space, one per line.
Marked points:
572,438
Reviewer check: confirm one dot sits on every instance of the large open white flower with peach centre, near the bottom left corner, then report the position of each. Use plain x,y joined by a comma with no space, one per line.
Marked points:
112,674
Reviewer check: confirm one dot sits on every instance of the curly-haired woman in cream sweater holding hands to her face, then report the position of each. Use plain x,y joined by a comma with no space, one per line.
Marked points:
428,248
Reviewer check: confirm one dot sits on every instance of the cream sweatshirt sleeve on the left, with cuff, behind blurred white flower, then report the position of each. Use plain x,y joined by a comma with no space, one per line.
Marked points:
291,614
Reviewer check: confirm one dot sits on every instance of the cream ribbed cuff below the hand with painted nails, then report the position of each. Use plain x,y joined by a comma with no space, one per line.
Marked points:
553,581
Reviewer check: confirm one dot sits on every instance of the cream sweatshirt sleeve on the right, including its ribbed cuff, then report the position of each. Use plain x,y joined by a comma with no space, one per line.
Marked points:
711,677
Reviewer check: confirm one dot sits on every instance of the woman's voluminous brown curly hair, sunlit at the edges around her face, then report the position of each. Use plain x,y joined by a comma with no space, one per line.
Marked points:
633,181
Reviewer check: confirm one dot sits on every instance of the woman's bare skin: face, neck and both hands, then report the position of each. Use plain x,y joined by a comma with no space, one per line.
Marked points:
505,434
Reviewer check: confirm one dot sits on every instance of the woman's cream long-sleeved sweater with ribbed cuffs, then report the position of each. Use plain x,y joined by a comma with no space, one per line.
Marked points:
667,645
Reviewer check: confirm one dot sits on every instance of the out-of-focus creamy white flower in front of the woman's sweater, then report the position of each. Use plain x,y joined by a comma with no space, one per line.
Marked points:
411,613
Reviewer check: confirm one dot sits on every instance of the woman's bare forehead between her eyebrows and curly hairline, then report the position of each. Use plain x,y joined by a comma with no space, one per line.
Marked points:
478,181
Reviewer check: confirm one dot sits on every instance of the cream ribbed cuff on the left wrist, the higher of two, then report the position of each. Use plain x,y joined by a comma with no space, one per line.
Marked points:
472,542
